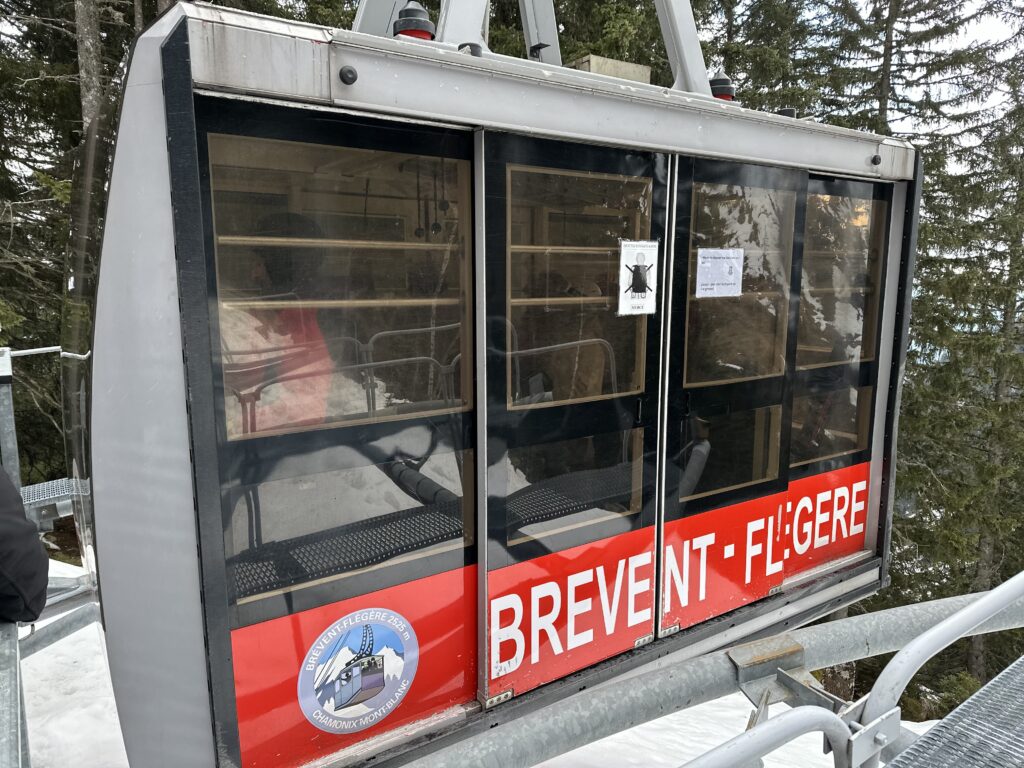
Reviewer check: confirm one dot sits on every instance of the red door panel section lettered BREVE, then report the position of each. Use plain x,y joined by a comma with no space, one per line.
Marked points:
559,614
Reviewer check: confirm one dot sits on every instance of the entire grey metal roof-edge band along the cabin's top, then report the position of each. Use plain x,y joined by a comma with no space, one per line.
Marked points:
241,53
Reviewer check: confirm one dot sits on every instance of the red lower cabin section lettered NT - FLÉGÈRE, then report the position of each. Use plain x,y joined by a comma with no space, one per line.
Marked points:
729,558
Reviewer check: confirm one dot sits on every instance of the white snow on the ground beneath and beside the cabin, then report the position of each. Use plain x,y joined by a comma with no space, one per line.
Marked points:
73,719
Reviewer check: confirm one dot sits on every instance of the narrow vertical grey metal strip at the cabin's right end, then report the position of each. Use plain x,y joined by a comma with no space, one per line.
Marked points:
884,359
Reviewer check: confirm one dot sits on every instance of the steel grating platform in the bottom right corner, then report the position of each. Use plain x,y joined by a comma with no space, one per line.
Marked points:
986,732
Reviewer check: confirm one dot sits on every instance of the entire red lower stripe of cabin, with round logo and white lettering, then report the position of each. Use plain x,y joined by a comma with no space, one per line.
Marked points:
550,617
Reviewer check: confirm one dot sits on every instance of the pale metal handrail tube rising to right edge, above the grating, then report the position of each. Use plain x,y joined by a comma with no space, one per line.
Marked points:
897,676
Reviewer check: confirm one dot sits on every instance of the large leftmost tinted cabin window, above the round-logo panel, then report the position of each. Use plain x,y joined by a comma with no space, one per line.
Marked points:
343,279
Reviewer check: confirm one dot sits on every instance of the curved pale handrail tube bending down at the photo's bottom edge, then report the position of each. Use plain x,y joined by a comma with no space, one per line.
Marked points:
780,731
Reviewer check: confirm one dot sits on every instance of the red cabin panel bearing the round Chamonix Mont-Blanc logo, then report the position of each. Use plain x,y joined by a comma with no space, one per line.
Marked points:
435,622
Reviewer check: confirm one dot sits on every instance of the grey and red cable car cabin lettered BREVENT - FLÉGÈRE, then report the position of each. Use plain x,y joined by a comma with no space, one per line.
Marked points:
426,379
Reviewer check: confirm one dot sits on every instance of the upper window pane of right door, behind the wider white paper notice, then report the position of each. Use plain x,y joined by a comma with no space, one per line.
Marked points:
742,337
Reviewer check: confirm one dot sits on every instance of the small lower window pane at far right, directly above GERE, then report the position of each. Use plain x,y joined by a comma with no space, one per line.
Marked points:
832,423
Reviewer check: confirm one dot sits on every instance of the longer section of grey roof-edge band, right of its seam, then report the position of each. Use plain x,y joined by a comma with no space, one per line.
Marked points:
579,106
